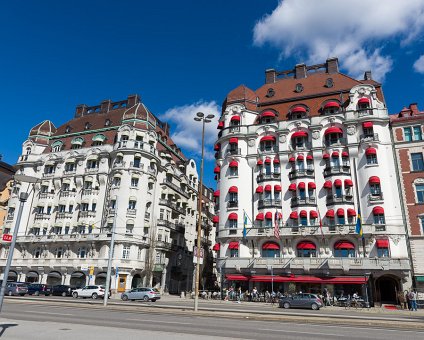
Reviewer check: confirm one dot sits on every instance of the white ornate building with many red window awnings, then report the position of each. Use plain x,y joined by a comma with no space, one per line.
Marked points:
297,160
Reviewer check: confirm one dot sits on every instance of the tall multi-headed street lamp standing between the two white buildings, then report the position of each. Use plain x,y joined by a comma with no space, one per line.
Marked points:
200,117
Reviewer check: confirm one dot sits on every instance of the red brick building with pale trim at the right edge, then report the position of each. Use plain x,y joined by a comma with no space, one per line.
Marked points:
407,129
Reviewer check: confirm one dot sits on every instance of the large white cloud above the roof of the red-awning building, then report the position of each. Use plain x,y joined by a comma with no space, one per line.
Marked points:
353,32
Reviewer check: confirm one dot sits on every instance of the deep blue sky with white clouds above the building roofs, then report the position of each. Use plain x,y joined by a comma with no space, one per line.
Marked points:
185,56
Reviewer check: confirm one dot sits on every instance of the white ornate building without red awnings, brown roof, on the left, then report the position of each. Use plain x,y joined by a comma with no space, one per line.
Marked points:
113,168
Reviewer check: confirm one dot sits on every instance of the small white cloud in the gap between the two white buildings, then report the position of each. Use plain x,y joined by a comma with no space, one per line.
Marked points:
187,133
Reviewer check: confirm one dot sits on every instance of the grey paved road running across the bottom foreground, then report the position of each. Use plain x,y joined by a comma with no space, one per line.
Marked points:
50,321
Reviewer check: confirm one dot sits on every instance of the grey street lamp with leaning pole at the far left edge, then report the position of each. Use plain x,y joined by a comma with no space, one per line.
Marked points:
22,199
